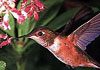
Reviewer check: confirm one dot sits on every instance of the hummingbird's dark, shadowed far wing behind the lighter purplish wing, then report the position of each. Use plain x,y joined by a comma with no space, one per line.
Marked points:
83,12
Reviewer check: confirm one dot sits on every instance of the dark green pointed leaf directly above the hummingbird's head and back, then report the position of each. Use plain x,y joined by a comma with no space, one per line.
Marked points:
62,19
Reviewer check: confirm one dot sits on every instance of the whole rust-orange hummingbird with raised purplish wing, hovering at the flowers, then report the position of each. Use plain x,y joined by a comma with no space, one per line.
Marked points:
69,49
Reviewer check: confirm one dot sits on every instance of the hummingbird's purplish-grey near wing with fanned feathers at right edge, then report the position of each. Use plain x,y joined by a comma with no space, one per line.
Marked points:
87,32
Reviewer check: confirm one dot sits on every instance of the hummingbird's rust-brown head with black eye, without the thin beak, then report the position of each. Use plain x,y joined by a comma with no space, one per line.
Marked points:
42,35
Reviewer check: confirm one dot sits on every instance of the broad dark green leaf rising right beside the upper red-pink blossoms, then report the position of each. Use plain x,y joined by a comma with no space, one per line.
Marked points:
51,10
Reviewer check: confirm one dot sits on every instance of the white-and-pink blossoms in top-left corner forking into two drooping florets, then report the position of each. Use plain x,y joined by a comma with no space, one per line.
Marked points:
8,6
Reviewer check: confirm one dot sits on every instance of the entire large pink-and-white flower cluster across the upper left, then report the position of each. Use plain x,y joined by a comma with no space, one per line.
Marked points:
26,11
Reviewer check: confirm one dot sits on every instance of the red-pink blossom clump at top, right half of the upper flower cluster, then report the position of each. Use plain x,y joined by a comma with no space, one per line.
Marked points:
32,9
